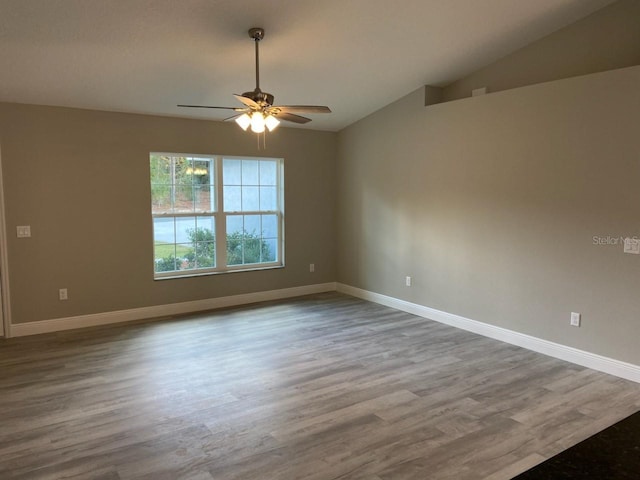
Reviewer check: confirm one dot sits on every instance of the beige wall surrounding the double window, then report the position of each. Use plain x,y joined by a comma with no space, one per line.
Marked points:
81,180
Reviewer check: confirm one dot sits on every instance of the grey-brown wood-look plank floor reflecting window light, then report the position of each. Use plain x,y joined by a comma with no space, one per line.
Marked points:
319,387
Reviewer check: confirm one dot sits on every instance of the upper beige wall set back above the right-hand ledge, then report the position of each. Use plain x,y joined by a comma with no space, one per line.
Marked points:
605,40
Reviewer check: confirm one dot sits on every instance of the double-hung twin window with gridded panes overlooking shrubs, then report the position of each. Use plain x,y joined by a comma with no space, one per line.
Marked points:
214,214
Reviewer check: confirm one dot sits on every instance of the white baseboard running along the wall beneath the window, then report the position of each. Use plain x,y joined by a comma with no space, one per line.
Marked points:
92,320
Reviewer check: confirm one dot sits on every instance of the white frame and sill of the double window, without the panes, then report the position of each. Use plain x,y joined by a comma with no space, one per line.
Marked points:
219,216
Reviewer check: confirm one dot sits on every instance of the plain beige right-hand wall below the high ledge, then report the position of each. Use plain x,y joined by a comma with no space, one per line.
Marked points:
491,205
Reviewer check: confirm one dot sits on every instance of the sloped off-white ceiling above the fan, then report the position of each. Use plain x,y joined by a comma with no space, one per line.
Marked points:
356,56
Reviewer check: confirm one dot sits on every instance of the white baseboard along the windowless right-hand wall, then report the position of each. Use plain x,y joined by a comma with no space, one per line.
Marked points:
580,357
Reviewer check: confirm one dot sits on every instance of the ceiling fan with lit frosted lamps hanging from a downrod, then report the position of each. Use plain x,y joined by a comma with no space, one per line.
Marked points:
259,111
